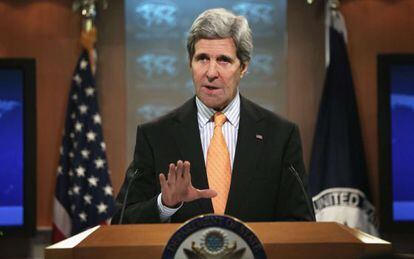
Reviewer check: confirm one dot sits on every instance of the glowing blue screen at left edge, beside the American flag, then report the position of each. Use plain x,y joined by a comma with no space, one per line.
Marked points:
11,147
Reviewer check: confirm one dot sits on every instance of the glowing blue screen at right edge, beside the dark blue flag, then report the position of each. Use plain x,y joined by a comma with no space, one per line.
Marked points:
402,139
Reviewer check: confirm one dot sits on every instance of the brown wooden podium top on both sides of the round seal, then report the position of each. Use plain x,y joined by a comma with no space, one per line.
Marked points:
280,240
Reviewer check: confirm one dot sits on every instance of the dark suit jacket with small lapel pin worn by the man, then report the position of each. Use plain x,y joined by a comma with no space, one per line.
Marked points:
261,187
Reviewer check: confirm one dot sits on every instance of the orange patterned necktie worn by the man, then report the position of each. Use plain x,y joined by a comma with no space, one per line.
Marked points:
218,165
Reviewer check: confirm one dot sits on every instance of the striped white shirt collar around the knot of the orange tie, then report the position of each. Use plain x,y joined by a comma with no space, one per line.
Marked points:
232,111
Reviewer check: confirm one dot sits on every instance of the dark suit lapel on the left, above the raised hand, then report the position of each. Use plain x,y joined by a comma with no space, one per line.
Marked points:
187,137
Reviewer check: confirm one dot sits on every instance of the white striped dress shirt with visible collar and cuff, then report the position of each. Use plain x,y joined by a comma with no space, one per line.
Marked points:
206,126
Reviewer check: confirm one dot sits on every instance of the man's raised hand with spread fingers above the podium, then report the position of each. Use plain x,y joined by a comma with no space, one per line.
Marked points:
178,187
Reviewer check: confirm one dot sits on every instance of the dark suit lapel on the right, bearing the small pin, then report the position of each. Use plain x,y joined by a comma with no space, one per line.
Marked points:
249,145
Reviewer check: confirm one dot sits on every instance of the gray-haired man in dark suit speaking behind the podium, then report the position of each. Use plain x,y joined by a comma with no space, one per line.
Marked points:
219,152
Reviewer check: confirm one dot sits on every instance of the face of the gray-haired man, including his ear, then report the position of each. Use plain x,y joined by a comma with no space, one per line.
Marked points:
216,72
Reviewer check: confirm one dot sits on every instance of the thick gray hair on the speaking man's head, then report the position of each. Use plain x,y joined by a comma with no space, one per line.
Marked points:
220,23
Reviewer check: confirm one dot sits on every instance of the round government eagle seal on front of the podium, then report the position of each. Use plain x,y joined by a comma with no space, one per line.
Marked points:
214,236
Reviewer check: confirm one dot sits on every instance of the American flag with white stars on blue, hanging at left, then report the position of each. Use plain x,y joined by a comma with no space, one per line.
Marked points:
84,195
